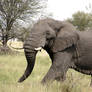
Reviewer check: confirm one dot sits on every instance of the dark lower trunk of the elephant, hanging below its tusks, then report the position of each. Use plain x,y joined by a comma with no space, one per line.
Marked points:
30,57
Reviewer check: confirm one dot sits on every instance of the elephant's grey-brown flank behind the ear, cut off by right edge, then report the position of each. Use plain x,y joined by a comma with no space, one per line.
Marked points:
85,50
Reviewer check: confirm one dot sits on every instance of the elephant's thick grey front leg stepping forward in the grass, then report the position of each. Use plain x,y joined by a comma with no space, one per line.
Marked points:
59,67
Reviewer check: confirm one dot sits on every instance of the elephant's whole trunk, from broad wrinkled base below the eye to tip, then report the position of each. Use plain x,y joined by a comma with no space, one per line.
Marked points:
31,46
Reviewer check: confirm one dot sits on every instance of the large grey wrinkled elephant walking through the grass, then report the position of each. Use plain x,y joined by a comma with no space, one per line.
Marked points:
66,47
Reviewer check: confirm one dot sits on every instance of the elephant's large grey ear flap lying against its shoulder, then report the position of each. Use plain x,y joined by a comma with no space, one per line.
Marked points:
65,39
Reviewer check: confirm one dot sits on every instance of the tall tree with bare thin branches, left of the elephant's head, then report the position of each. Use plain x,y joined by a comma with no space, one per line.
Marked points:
11,11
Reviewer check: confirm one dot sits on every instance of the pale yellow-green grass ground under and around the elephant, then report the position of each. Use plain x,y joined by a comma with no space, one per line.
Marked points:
12,67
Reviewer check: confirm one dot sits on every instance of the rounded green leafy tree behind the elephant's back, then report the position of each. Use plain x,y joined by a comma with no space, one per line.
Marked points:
81,20
